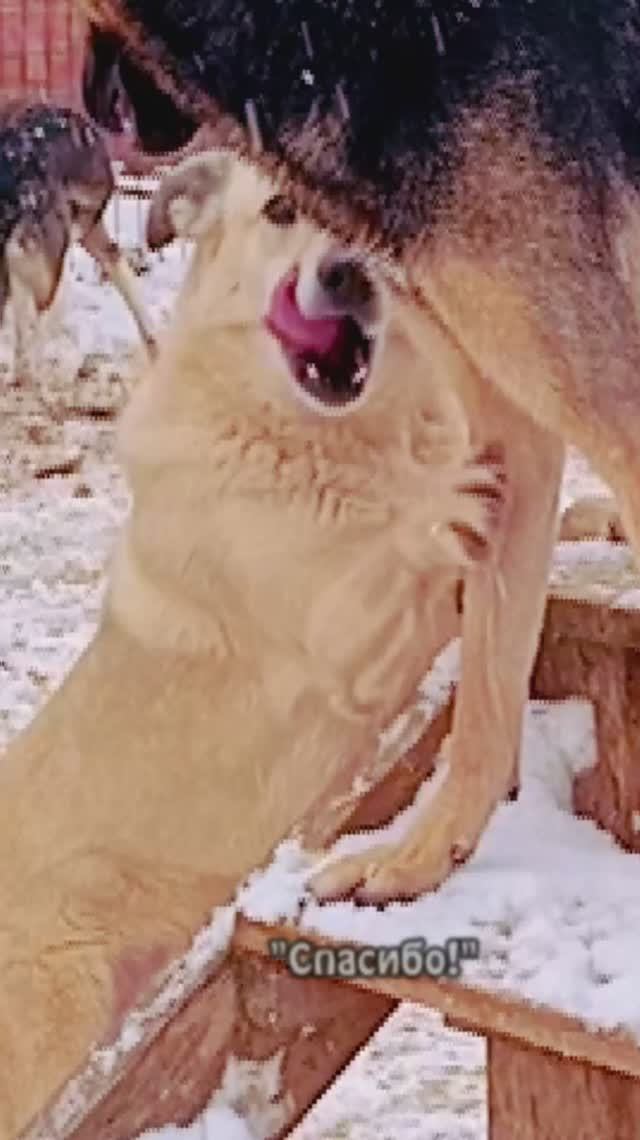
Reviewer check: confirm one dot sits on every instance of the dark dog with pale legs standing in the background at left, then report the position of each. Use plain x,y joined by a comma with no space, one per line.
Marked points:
58,181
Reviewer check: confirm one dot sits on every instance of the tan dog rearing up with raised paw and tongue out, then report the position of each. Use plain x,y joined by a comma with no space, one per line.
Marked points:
306,496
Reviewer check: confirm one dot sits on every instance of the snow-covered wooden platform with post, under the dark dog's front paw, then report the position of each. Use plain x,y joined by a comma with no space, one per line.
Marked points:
557,910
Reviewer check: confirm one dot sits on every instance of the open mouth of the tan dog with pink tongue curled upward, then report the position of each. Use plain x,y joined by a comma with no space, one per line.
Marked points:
329,357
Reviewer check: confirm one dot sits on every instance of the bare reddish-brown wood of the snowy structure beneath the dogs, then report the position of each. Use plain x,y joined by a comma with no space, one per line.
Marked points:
550,1076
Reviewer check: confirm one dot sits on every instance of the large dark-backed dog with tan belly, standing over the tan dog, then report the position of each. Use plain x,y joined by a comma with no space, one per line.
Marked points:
492,148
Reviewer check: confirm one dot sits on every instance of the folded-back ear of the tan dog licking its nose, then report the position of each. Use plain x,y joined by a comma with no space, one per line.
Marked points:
189,201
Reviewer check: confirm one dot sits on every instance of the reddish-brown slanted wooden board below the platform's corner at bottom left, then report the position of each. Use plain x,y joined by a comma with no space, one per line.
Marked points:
252,1041
